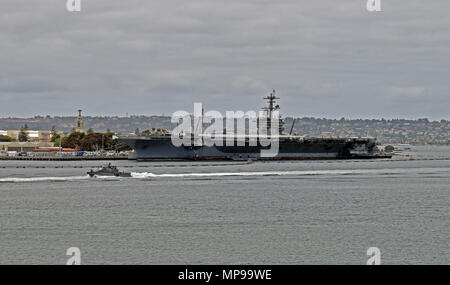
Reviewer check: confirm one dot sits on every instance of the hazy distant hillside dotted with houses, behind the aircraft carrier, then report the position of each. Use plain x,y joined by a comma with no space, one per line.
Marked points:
393,131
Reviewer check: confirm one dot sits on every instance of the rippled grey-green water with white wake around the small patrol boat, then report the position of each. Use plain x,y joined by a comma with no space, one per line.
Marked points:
292,212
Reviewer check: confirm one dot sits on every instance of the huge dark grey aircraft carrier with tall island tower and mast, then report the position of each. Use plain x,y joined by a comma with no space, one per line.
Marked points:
159,146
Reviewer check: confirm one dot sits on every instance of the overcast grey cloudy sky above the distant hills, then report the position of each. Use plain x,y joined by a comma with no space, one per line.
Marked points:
325,58
